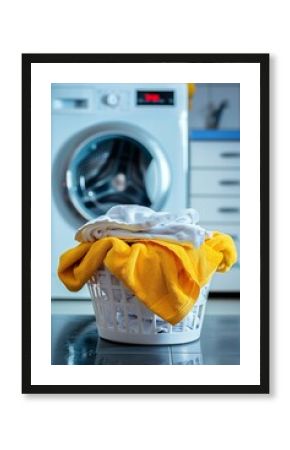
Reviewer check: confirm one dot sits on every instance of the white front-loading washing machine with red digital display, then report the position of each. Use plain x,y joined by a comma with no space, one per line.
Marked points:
112,144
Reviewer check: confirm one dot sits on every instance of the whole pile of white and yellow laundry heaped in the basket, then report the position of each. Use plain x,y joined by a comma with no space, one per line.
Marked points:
164,259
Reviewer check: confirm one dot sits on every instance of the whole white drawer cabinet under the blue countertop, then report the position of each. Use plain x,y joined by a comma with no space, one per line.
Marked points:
214,191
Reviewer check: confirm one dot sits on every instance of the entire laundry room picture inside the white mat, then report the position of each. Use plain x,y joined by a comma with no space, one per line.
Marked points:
145,223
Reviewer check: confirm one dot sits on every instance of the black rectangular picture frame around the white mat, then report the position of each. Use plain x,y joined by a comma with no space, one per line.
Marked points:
263,61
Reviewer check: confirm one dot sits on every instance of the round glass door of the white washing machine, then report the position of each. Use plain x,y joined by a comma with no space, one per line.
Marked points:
115,164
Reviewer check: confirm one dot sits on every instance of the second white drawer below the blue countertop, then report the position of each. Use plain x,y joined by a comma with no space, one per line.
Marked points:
218,182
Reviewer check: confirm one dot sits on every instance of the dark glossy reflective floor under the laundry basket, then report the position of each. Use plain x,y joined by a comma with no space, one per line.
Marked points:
75,341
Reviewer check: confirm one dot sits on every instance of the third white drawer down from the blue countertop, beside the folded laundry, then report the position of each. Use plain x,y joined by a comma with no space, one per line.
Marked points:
220,210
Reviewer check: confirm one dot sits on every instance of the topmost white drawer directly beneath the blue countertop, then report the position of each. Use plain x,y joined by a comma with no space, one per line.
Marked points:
215,154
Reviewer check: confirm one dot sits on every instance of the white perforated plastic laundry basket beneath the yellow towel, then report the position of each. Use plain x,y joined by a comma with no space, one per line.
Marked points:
121,317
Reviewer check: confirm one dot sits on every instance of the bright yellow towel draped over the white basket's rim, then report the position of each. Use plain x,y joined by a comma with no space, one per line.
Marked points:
165,276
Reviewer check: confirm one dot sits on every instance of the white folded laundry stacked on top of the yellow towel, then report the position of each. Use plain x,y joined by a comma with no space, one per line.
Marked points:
140,222
